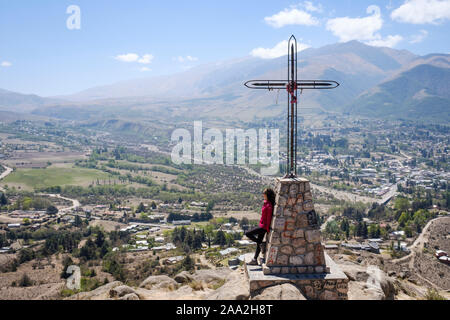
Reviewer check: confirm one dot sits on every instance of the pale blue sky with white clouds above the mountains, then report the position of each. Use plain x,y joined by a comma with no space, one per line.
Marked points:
121,40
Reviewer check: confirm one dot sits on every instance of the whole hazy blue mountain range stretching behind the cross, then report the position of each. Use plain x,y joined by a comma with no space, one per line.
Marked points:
374,81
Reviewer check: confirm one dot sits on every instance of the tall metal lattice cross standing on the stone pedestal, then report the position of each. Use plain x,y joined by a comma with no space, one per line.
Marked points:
292,85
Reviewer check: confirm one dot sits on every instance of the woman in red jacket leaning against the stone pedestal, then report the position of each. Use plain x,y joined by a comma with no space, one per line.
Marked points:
257,234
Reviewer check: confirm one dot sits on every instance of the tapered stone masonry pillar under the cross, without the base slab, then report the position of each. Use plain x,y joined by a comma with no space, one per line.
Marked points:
294,242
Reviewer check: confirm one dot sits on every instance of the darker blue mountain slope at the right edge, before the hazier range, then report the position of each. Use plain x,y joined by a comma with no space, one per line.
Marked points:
421,92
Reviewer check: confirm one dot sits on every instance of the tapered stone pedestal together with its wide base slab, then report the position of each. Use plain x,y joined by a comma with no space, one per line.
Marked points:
294,252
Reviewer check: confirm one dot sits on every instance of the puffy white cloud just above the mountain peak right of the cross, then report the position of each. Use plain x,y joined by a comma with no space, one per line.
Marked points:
362,29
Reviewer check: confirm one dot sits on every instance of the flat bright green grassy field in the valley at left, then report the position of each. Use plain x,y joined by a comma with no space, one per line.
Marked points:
58,175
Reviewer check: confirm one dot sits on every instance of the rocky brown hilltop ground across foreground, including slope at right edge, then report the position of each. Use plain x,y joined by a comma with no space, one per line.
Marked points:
372,277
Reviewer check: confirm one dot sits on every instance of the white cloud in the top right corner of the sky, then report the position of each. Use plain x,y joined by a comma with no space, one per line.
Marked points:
422,11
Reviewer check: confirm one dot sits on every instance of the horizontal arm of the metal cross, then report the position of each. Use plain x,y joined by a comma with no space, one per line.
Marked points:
282,84
